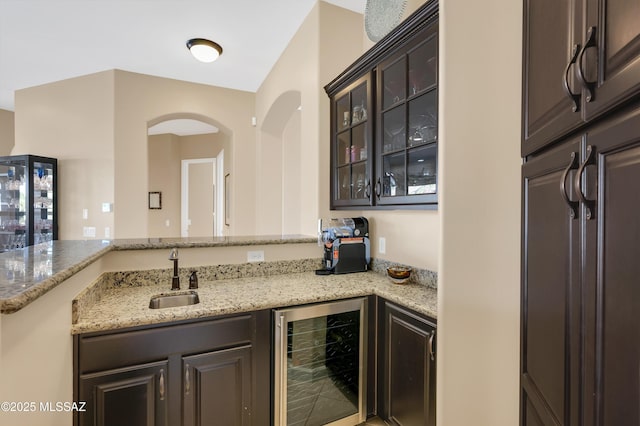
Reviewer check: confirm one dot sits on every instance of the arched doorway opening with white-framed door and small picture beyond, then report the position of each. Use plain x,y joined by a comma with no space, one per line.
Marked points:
186,165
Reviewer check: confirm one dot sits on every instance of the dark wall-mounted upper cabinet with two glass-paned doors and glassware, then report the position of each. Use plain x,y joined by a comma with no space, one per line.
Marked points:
385,153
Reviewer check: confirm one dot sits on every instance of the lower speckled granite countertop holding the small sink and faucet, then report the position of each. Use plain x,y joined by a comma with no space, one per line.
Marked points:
128,306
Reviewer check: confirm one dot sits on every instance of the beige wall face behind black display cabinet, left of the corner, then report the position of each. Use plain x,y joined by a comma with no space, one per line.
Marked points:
73,121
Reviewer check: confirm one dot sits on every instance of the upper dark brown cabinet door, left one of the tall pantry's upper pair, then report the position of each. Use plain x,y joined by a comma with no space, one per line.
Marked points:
549,39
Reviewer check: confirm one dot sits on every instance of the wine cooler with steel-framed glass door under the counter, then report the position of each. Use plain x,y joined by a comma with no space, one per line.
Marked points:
320,364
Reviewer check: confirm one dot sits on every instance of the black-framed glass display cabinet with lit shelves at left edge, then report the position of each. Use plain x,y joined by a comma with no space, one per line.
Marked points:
27,201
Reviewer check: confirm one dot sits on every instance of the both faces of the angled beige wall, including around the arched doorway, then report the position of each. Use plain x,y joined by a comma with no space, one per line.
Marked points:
96,126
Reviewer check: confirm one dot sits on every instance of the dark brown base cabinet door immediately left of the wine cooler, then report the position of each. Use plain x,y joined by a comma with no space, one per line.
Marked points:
217,388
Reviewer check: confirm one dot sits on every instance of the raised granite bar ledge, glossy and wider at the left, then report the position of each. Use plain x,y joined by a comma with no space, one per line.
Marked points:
27,274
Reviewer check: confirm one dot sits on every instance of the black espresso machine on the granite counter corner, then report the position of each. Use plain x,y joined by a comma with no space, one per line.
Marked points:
346,245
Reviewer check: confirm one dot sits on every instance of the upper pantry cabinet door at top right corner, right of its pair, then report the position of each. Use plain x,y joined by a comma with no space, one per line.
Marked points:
618,54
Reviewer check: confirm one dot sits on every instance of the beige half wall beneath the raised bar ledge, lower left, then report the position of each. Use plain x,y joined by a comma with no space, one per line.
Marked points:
36,353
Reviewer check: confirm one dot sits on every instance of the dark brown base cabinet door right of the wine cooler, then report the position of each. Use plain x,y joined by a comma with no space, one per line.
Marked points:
408,369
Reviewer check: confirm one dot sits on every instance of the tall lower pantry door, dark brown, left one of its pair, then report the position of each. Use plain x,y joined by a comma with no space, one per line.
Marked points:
550,294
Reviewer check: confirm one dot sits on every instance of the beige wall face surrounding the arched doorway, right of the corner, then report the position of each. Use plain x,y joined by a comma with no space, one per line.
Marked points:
141,99
